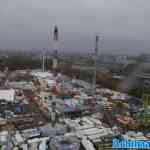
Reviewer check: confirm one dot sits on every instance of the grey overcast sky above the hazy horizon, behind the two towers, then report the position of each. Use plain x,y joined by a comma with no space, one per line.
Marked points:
123,24
